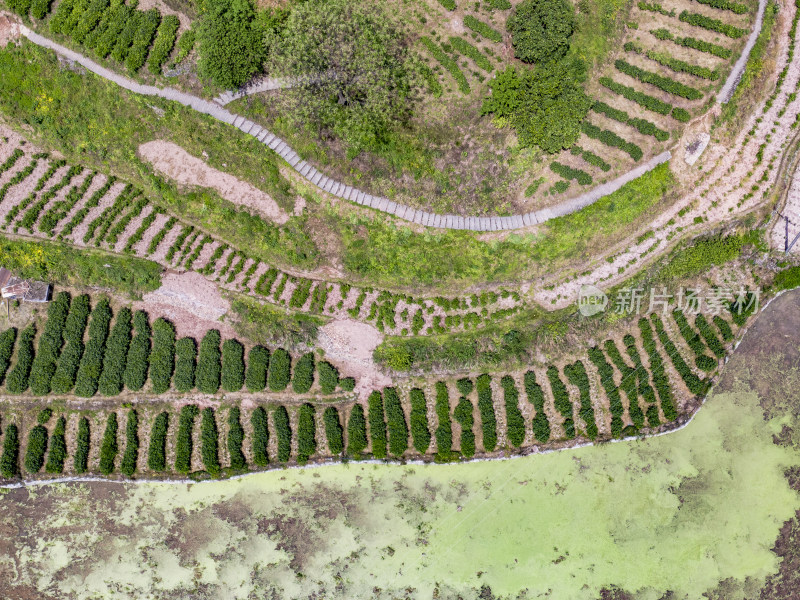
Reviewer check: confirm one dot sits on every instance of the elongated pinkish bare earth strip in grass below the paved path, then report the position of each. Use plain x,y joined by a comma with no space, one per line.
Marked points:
176,163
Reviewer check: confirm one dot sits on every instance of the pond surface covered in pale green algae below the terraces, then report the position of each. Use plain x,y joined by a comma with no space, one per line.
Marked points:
571,522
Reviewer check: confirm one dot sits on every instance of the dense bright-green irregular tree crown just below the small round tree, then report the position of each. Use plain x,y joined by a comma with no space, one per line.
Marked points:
545,104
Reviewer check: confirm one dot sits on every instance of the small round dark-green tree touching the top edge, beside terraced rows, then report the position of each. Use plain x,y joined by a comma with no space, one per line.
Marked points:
541,29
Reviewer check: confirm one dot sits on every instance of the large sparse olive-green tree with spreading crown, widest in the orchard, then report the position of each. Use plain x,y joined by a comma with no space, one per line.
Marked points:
351,69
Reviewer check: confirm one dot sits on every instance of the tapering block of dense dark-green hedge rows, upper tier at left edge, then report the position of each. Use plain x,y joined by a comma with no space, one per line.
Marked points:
123,351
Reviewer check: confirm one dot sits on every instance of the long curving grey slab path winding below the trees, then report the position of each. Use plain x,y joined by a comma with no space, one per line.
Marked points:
340,190
